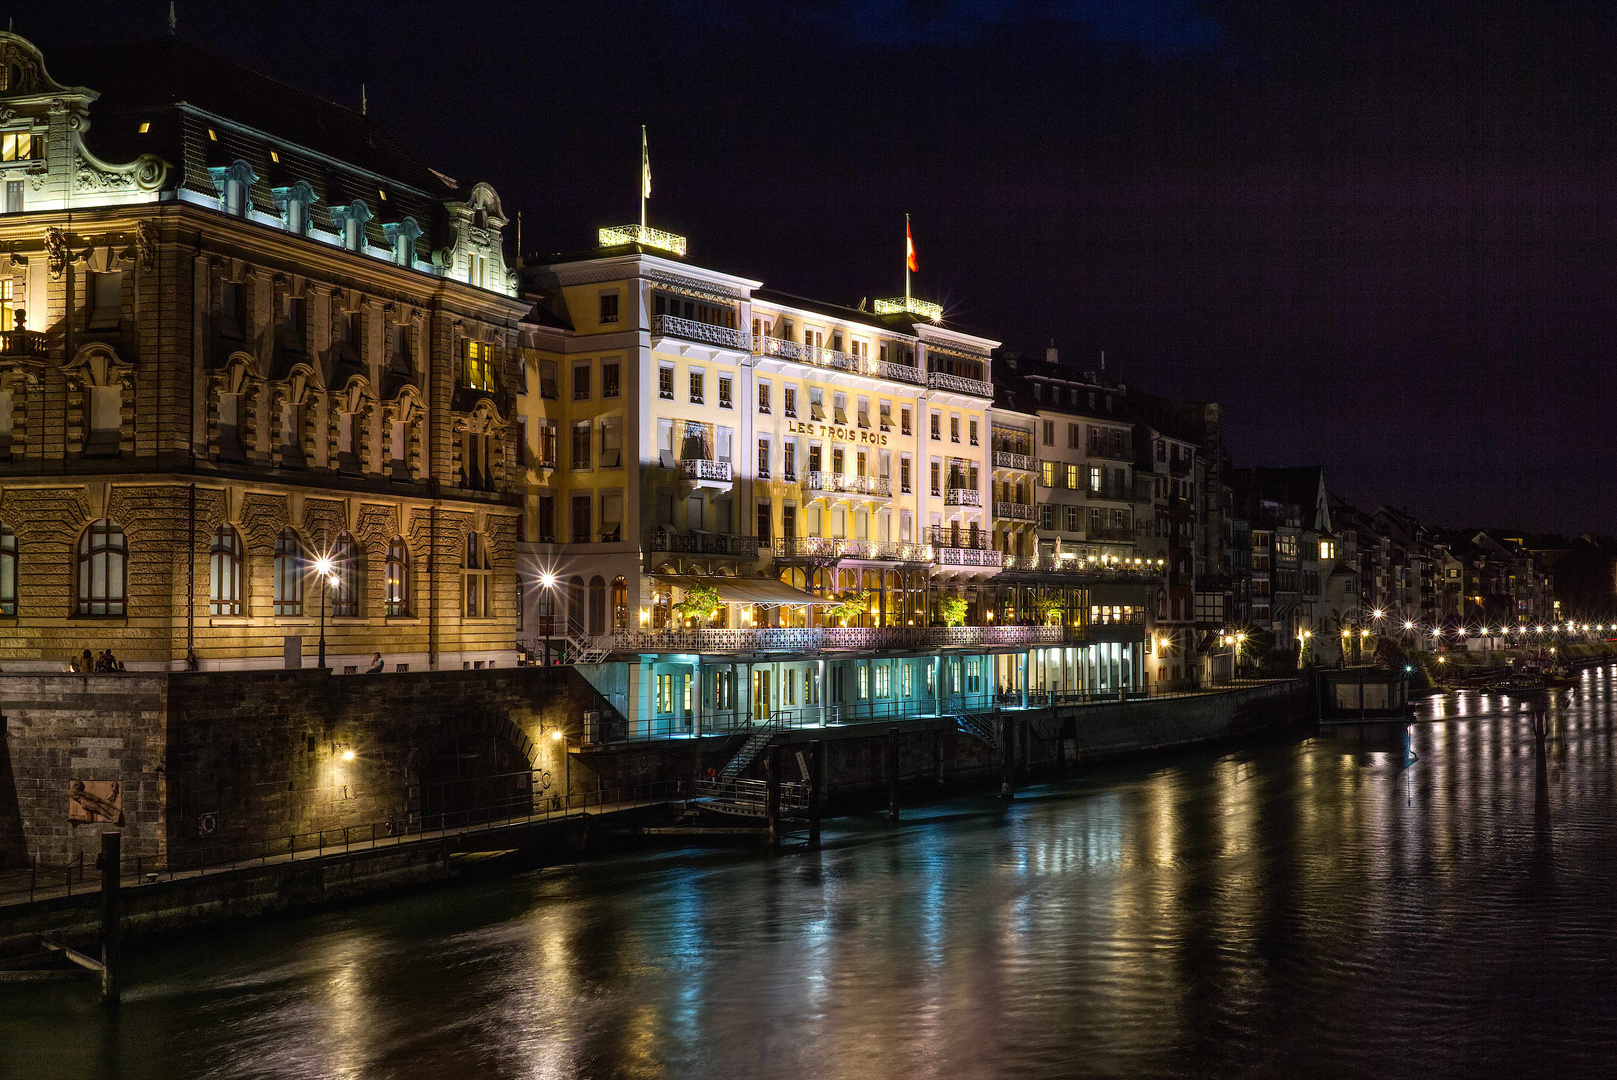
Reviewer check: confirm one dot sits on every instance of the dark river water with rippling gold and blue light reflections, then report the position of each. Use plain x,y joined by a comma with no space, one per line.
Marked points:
1351,905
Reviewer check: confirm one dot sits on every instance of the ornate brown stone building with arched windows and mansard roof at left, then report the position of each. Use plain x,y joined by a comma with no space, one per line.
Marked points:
245,331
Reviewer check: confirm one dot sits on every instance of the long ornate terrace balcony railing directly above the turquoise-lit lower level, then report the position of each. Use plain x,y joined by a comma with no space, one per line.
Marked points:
868,639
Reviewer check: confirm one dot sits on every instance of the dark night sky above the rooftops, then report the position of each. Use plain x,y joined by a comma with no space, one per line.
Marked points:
1375,234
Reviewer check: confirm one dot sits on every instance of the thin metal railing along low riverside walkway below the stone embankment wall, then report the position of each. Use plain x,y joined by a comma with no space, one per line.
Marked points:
41,880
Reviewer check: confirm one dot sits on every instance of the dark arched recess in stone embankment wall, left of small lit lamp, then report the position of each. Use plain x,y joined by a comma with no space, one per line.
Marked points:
473,775
